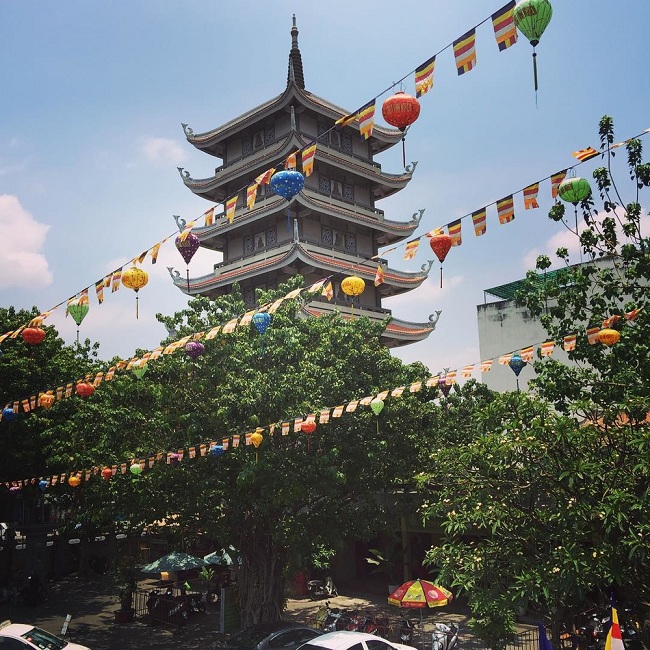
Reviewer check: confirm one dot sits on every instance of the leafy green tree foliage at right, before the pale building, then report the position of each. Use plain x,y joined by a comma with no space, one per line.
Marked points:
551,495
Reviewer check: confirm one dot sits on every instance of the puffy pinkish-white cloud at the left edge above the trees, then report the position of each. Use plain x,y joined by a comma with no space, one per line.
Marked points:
21,262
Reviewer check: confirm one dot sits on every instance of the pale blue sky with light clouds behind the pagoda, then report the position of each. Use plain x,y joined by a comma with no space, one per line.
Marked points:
94,94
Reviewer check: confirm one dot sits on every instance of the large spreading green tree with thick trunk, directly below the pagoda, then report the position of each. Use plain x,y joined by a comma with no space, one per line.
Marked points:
296,495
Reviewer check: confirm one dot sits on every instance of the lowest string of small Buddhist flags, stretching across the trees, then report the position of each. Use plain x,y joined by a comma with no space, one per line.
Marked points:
442,381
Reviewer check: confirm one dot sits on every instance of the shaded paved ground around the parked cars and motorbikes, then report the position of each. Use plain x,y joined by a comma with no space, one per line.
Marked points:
92,603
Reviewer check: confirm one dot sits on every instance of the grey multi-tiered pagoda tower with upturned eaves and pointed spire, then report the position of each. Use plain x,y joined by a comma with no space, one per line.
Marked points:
330,229
